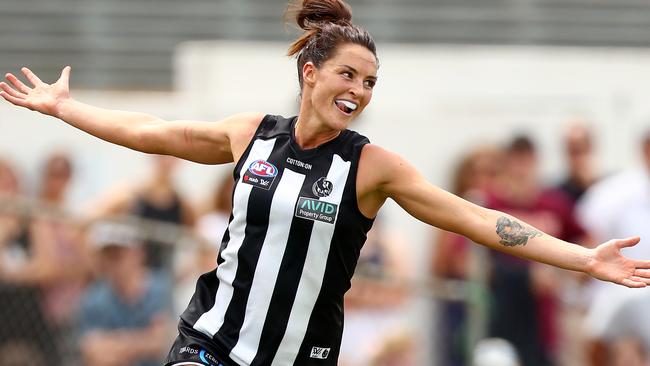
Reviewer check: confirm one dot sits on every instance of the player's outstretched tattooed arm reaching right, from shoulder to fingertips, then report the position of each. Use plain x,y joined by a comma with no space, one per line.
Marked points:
399,180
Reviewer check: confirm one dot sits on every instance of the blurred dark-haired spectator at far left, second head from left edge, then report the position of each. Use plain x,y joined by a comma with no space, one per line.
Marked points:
57,263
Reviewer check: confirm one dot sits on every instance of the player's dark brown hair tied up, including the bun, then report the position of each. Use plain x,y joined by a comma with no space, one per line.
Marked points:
327,24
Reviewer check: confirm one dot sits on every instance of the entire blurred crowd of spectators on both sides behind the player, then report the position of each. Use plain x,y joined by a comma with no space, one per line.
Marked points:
105,288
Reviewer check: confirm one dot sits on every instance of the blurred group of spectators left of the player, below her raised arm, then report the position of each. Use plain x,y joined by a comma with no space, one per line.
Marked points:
104,287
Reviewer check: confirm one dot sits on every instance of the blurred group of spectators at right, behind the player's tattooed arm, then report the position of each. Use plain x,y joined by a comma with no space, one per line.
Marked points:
537,315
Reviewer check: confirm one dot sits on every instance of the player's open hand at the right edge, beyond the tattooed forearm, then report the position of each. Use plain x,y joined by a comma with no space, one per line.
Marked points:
608,264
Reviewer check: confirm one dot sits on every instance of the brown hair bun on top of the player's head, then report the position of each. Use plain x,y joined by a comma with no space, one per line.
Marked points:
312,14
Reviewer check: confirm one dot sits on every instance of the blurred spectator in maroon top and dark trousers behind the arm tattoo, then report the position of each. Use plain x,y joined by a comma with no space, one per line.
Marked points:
525,310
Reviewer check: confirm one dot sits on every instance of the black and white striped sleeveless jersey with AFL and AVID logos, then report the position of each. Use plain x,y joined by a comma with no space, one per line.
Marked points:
287,258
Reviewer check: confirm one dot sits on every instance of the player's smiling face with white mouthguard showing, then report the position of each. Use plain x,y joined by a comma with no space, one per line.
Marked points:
341,88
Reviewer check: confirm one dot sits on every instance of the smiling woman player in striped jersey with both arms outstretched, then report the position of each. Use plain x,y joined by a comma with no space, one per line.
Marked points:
306,190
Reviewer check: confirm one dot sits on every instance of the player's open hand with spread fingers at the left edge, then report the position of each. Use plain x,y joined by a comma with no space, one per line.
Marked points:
41,97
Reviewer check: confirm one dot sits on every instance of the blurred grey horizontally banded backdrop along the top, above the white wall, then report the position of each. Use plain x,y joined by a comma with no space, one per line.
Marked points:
130,44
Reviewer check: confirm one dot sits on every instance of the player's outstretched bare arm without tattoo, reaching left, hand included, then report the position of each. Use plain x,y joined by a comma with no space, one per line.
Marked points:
202,142
